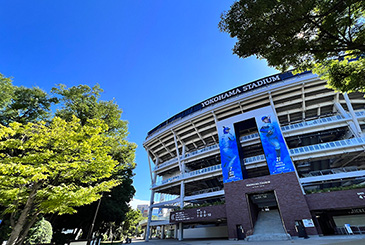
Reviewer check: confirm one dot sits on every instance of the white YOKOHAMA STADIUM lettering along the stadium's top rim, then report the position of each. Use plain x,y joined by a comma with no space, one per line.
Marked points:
236,91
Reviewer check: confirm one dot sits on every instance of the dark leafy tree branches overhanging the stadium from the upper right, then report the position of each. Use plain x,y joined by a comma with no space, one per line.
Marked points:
306,34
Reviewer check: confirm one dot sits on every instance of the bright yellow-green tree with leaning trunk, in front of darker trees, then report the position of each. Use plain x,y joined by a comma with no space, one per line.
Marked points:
52,168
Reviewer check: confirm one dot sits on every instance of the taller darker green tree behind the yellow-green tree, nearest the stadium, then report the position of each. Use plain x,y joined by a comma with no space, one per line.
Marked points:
85,103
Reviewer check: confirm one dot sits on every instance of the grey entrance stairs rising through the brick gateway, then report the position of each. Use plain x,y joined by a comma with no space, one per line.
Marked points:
269,227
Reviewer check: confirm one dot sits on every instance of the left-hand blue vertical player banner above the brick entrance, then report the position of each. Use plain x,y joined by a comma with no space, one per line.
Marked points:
230,160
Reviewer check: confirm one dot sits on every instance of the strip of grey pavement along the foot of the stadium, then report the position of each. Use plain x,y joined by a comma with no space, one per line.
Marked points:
335,240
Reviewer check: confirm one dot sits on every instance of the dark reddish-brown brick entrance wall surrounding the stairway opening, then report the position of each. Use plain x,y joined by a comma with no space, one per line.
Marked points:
291,201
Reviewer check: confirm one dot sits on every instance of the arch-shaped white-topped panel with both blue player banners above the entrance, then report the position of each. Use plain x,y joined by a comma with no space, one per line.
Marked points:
273,143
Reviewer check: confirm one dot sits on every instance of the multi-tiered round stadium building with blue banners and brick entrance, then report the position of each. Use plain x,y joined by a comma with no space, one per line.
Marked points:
278,157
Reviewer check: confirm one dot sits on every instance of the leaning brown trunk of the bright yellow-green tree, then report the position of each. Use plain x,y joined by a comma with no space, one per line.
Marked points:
16,233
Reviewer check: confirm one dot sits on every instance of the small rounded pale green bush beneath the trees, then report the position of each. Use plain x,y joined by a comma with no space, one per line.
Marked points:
41,232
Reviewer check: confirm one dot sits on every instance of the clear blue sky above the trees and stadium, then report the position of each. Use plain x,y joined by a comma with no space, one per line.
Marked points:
156,58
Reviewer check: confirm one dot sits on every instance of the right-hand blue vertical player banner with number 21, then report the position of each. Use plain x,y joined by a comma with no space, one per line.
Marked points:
276,151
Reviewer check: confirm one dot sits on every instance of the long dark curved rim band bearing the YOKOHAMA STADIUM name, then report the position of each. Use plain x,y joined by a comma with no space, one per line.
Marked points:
228,94
